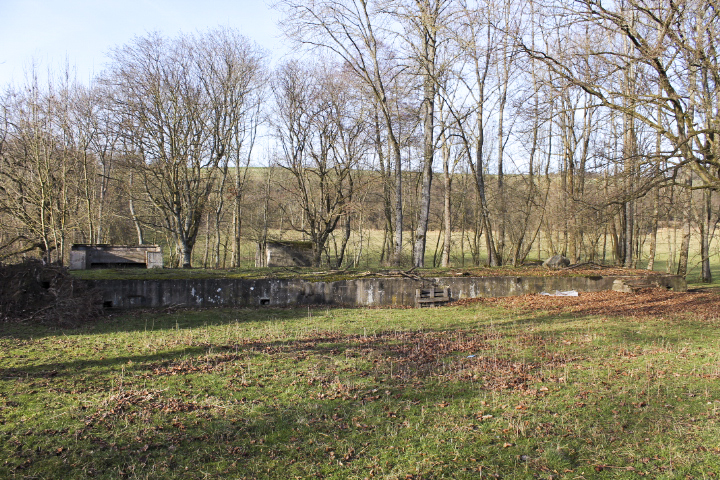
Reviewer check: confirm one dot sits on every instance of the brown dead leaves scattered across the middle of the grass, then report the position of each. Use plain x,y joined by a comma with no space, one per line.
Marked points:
403,356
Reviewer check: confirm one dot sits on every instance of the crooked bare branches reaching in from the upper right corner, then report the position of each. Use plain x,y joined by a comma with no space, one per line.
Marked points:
666,47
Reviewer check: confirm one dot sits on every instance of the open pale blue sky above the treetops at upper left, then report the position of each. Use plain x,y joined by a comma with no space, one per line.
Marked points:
80,33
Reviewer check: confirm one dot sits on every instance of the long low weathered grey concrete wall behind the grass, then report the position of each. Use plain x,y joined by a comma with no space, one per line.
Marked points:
359,292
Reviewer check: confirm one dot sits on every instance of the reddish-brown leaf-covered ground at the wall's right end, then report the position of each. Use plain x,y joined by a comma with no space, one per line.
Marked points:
704,304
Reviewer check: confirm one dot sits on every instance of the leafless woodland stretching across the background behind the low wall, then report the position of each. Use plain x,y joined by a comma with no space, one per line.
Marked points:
402,132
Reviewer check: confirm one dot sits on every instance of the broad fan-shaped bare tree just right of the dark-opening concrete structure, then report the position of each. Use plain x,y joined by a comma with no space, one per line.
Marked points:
179,102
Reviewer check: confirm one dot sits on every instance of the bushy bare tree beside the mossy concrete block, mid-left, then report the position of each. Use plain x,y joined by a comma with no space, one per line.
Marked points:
323,138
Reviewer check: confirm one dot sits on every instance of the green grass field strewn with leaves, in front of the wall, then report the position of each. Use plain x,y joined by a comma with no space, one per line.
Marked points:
452,392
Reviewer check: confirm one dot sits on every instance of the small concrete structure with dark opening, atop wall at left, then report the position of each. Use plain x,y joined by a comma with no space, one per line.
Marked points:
85,256
